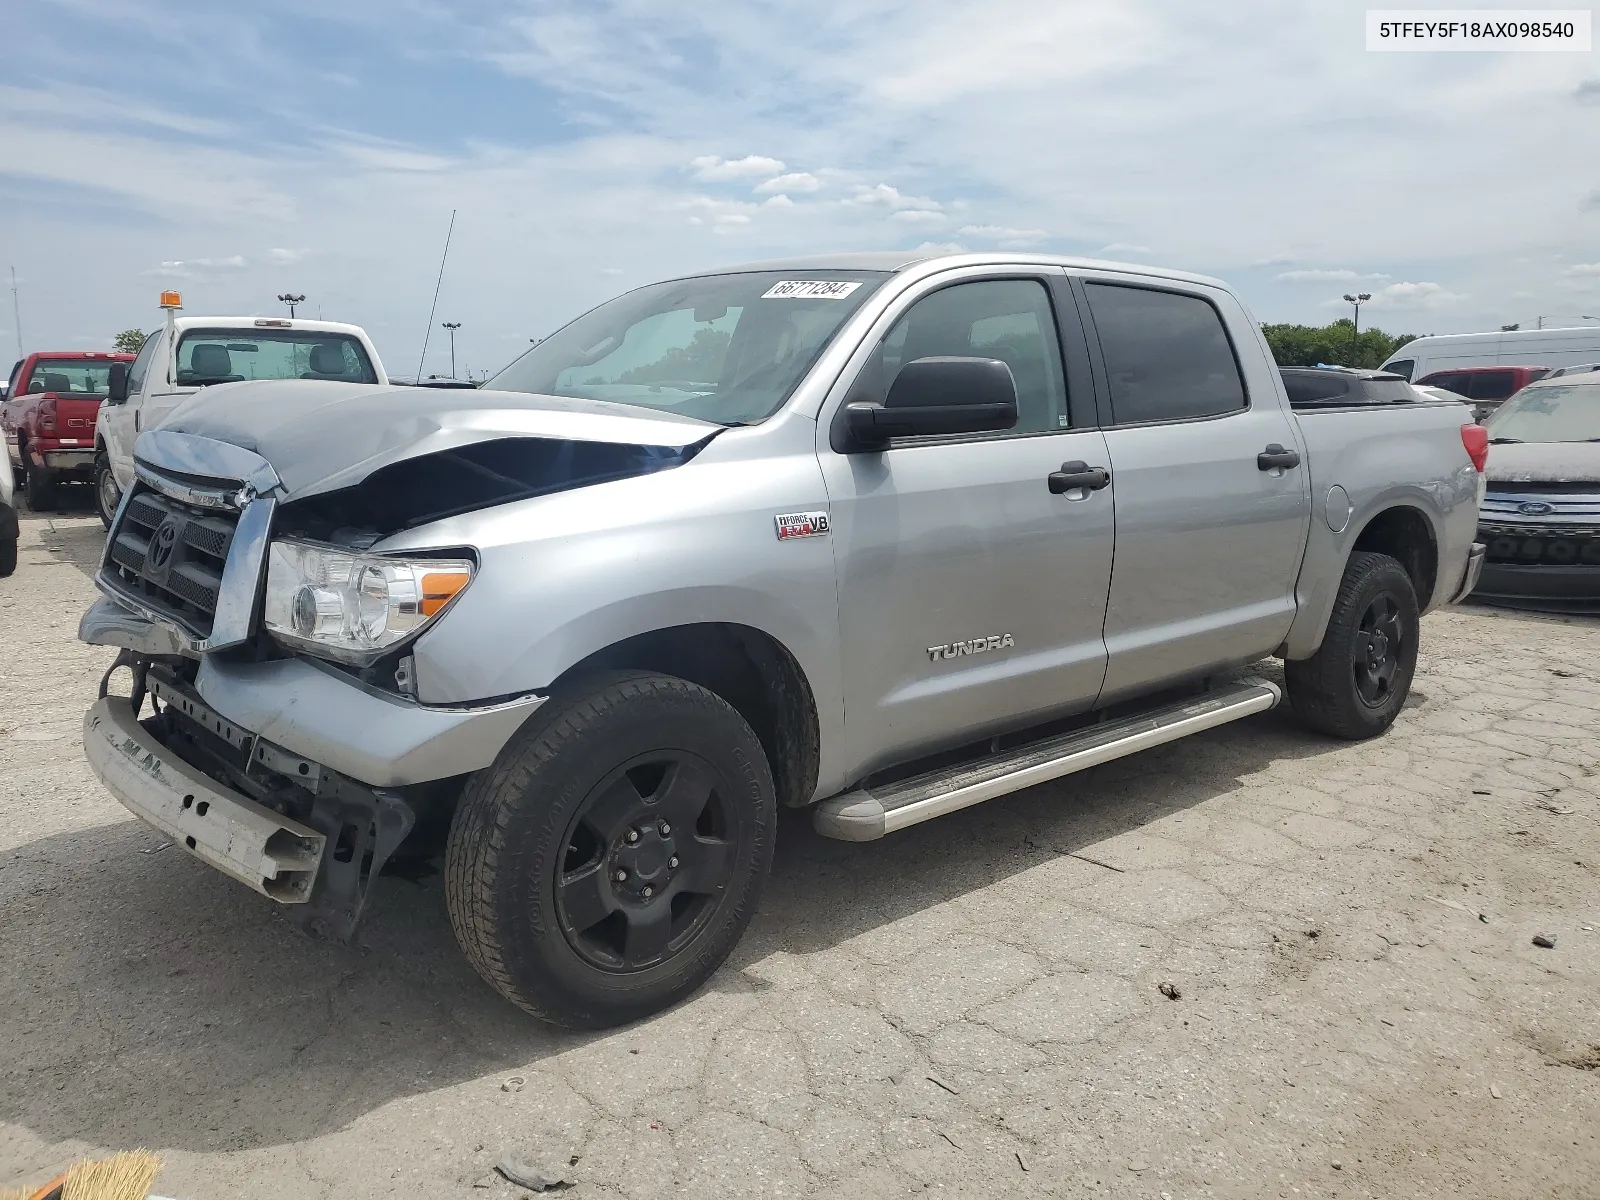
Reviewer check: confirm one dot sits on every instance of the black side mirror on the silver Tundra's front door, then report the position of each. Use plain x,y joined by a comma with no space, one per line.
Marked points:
937,396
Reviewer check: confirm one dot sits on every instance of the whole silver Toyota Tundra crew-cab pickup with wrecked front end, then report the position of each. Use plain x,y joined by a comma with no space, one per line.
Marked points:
879,535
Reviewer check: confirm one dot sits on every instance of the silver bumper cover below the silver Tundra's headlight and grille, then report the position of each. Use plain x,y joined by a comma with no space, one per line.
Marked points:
326,716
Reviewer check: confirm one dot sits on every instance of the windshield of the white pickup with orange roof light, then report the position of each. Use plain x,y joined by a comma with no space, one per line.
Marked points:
228,356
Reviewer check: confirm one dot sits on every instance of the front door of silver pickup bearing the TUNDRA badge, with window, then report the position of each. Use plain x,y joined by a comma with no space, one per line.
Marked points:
972,594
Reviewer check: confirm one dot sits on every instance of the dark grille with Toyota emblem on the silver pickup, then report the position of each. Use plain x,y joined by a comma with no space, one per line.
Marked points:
170,558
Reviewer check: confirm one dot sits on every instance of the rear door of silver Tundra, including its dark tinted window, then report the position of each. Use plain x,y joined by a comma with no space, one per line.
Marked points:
1212,510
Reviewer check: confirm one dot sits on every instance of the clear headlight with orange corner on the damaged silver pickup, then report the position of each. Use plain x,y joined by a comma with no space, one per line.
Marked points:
350,606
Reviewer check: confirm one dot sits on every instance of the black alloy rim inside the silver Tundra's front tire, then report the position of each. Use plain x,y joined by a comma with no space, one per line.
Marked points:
647,860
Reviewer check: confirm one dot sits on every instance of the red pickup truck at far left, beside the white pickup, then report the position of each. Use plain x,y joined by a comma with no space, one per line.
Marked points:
49,418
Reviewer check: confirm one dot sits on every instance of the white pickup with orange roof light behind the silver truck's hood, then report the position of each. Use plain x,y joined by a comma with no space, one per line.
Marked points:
196,353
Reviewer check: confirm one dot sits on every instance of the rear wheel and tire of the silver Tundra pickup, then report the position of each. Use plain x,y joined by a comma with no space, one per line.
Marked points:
1356,684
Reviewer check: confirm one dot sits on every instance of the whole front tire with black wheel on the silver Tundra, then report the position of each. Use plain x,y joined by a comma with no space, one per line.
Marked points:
588,790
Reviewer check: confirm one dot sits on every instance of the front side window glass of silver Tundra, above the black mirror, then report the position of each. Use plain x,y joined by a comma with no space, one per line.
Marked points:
1010,321
